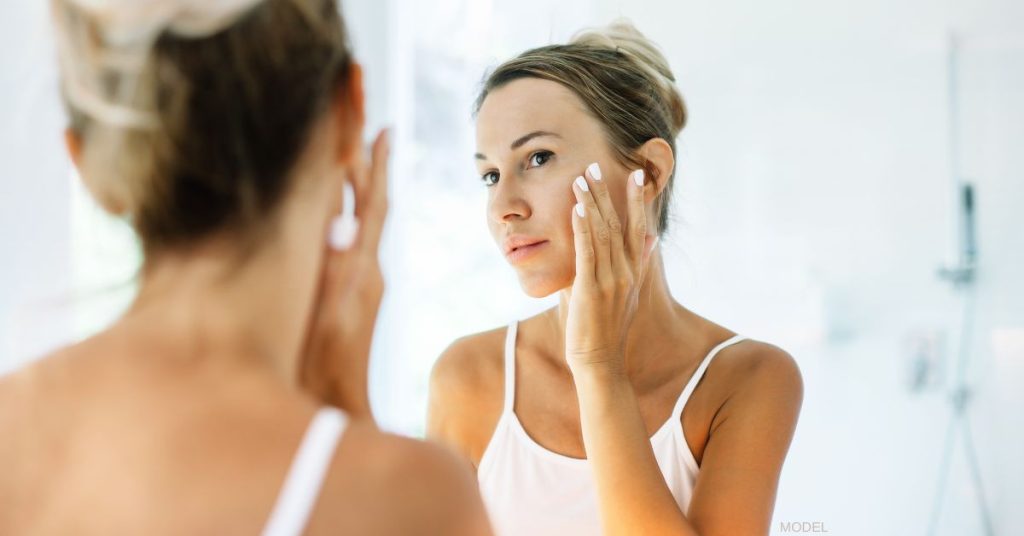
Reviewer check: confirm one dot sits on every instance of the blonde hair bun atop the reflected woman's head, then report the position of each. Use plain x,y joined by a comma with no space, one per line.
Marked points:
623,37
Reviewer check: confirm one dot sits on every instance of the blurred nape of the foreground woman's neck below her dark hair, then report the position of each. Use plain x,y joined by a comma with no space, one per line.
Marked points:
205,307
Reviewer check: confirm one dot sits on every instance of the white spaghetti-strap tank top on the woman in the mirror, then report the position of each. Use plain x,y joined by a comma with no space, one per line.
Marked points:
530,490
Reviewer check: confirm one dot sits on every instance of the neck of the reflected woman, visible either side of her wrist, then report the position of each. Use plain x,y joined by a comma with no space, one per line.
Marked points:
658,317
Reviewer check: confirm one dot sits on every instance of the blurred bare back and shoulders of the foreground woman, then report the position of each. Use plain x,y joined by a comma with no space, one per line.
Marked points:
110,437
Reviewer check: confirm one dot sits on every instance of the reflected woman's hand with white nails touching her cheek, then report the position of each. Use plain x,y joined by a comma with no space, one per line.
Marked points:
611,264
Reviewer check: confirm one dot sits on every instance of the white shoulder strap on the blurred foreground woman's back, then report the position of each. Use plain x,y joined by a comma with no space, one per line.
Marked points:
297,498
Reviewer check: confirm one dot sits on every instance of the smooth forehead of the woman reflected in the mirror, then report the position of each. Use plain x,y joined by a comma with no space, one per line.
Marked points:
529,105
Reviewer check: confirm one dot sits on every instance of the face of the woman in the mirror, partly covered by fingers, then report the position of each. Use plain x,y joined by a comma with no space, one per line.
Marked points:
534,138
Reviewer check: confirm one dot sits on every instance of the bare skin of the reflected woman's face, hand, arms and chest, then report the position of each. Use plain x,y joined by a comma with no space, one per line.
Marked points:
599,375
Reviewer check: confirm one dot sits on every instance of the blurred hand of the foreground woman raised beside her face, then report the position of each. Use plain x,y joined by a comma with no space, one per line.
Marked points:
336,357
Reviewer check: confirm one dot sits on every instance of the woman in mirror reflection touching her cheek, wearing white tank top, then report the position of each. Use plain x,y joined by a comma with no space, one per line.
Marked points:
619,411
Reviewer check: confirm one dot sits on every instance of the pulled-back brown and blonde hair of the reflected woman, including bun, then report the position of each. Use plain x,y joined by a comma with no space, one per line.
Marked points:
623,80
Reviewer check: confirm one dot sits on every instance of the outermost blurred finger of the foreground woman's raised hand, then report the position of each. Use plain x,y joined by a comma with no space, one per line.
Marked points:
371,200
